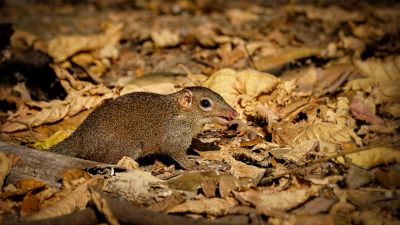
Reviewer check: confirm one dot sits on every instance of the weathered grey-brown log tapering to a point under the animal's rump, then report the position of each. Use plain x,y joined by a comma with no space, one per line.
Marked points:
42,165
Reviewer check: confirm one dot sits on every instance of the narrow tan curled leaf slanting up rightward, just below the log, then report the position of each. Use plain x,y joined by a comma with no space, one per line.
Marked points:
77,199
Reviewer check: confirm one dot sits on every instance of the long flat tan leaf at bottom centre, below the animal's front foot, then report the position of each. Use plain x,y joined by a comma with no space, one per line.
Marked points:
211,206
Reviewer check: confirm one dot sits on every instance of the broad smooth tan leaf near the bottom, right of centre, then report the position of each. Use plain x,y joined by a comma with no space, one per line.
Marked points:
266,200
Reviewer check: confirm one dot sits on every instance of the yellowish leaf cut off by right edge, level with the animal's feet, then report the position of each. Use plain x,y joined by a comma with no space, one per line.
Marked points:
373,157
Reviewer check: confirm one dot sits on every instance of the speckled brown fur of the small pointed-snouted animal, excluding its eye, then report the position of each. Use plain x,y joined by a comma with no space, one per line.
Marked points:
139,124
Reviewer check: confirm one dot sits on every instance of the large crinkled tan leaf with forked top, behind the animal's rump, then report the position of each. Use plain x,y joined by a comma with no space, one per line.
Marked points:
81,96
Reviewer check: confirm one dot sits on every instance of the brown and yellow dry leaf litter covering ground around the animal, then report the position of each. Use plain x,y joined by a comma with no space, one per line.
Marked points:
316,86
